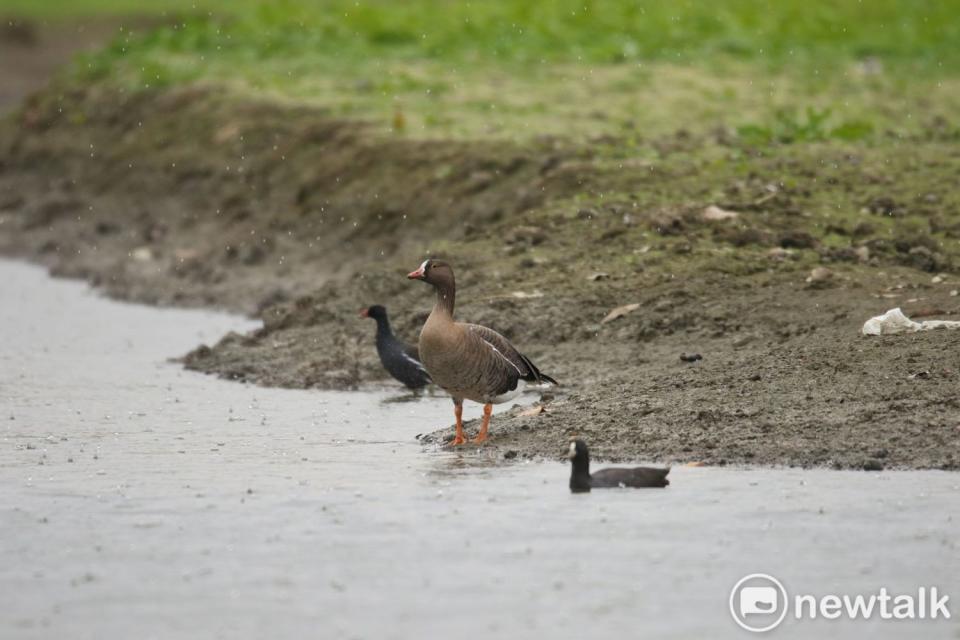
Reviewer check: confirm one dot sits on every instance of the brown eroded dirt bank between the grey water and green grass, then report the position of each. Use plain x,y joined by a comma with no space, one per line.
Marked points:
192,196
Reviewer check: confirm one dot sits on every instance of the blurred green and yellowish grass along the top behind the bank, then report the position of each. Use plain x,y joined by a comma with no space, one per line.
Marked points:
777,72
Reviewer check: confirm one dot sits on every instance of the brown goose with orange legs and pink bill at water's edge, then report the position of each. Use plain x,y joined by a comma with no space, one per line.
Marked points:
469,361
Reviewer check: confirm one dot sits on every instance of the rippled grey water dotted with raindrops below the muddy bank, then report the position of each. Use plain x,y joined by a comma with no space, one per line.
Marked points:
140,500
